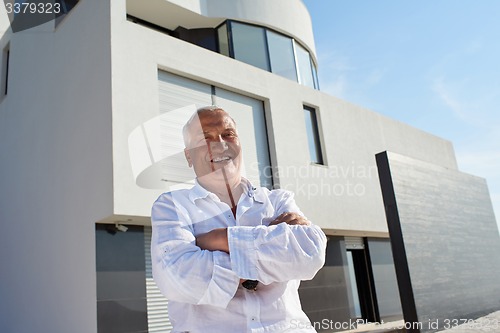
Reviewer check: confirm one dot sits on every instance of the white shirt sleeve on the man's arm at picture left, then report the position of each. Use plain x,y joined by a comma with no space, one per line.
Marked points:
183,271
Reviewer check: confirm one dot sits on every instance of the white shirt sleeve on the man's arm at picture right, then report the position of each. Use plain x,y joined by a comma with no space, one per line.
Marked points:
277,253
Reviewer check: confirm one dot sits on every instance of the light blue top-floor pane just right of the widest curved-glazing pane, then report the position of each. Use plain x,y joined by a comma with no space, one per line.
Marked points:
281,55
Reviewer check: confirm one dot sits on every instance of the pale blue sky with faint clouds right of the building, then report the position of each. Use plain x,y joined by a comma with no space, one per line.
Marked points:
433,64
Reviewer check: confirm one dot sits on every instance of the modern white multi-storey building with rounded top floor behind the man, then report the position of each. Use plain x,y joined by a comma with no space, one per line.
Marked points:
90,116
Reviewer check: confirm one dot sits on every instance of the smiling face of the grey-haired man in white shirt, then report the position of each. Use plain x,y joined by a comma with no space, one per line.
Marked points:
214,145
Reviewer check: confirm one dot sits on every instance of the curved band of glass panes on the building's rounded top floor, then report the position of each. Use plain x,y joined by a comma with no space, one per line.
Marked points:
268,50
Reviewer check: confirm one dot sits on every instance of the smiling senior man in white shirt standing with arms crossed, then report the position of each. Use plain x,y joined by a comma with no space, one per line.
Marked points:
229,256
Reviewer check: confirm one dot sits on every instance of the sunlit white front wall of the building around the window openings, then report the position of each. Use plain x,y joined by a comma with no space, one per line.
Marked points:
343,196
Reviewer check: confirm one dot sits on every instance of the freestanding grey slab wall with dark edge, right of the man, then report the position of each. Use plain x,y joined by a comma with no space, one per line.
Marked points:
445,242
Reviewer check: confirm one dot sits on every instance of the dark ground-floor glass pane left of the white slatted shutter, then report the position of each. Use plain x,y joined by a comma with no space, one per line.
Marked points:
121,279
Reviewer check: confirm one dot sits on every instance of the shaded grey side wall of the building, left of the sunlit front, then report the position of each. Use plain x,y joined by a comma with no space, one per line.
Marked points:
55,171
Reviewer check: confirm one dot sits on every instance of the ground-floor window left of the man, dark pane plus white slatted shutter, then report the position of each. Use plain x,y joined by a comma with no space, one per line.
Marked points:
128,299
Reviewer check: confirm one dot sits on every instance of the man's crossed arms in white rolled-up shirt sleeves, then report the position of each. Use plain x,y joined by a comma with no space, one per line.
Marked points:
207,269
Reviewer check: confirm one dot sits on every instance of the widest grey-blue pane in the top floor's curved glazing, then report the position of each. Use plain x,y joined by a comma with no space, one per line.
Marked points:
249,45
